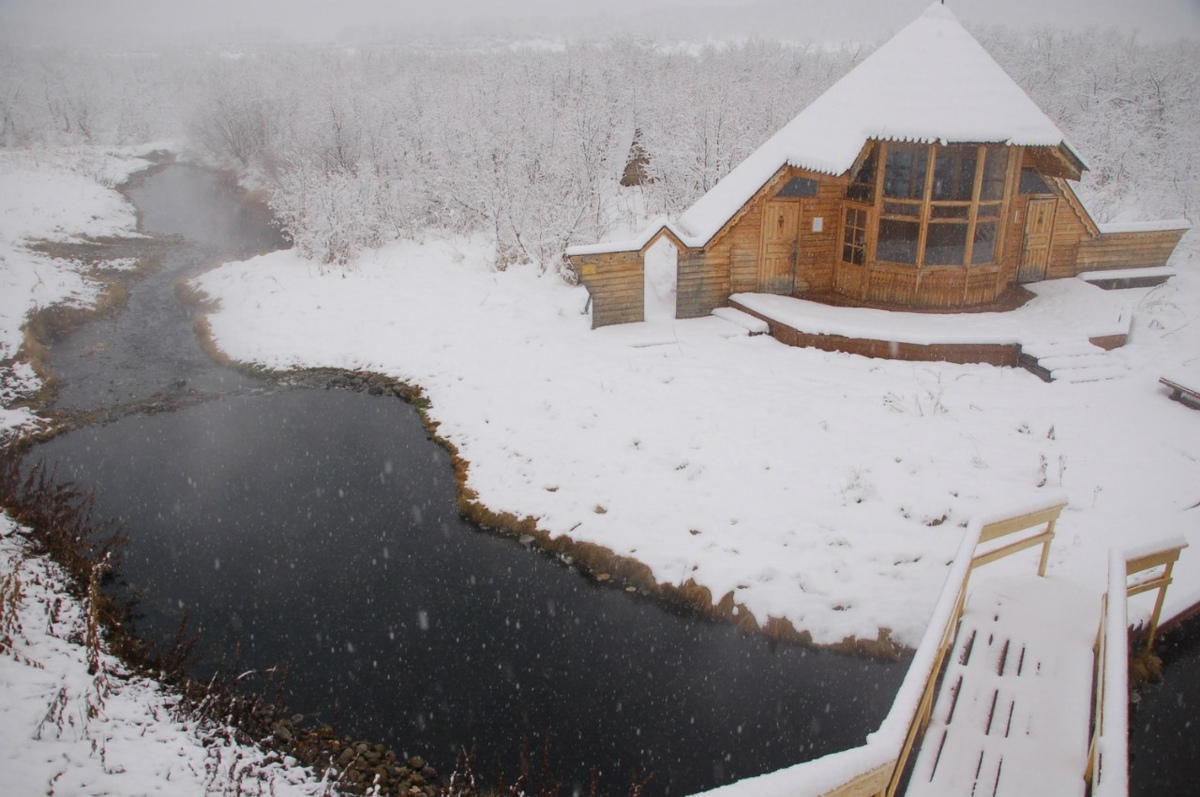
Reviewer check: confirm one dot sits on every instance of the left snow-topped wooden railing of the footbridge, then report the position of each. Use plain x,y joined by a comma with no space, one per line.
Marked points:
877,769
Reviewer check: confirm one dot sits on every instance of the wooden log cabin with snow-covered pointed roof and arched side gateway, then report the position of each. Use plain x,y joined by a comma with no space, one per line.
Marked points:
925,179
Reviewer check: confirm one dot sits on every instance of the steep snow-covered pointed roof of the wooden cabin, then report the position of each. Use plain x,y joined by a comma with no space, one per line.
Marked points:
932,82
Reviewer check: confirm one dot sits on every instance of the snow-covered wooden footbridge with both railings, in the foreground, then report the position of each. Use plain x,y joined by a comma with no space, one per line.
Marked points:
1030,676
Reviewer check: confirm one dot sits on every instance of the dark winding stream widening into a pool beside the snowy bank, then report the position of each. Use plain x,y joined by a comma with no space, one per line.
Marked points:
319,530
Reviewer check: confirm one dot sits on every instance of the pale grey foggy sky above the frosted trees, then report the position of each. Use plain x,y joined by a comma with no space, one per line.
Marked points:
149,22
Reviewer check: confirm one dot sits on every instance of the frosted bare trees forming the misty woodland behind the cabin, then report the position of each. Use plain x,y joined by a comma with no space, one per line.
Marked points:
529,146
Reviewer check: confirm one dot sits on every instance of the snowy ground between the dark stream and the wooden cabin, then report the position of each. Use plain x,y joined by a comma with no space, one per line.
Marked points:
826,489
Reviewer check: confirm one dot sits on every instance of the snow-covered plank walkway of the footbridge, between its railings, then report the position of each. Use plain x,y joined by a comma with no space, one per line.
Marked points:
1012,715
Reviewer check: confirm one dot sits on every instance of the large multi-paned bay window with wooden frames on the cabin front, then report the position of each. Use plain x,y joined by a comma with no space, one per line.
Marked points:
941,203
